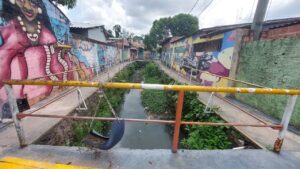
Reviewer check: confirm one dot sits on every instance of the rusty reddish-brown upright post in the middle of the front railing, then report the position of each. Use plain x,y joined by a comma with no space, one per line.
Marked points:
177,121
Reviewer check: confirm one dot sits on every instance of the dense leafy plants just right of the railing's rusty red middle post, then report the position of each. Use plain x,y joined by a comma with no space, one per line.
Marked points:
201,136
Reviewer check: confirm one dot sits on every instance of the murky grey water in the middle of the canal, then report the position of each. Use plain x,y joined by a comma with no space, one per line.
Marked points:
142,135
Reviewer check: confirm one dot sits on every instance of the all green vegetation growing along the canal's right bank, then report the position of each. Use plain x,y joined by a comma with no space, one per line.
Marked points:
196,136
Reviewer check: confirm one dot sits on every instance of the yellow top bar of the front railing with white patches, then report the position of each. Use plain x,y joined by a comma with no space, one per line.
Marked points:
155,87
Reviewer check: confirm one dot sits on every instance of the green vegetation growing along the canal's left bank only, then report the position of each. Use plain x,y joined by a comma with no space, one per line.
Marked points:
115,96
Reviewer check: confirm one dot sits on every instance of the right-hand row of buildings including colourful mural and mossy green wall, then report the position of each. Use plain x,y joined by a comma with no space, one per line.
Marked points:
272,61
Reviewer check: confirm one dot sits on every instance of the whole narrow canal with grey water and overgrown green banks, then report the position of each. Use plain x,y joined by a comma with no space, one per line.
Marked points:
138,135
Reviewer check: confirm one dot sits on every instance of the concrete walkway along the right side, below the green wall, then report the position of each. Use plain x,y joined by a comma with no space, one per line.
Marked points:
264,137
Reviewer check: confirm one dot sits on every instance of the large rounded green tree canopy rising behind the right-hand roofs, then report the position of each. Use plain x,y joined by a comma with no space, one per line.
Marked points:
178,25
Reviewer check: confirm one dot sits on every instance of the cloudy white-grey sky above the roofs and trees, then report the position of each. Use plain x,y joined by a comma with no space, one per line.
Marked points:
137,15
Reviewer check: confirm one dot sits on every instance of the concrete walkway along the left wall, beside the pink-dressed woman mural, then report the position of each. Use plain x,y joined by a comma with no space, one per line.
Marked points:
36,127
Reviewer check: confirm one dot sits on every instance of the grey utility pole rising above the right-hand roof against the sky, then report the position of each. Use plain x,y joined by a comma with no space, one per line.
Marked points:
259,17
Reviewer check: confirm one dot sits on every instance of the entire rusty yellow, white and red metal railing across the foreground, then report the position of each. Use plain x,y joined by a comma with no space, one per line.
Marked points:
180,88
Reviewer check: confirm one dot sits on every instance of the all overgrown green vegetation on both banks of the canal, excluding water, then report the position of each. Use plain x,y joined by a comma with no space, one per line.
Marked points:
163,105
